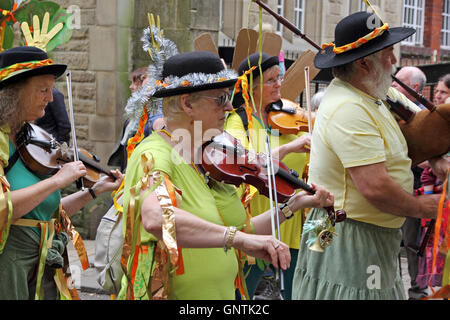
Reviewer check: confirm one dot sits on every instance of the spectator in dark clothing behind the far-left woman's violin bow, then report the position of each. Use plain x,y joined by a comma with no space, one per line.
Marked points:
55,120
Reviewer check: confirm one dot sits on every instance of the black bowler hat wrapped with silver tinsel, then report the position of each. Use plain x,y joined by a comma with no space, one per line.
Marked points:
193,71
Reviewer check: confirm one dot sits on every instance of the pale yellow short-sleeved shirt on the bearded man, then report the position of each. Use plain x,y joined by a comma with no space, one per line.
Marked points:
352,129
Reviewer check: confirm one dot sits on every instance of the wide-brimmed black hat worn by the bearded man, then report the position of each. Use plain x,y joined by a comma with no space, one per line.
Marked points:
352,28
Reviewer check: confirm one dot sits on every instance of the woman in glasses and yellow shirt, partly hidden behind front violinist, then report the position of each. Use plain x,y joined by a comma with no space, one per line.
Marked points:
250,126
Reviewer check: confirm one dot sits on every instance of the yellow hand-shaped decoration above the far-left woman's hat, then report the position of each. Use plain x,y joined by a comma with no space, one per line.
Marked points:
40,38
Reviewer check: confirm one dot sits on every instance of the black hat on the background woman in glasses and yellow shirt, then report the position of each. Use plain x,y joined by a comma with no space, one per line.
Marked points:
253,61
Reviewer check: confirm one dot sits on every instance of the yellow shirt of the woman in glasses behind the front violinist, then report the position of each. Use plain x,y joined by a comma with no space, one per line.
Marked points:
290,229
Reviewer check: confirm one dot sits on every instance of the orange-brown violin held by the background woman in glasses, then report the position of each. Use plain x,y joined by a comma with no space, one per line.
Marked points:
288,117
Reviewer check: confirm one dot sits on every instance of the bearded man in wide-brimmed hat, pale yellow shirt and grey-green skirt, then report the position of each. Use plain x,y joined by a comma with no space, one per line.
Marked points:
360,155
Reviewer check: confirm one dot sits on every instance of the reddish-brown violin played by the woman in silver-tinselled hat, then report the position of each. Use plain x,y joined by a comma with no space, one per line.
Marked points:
226,160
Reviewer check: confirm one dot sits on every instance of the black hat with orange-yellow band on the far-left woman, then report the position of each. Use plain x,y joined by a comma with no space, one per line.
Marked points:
31,60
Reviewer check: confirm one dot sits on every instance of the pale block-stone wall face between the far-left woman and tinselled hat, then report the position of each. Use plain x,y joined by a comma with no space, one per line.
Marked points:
98,57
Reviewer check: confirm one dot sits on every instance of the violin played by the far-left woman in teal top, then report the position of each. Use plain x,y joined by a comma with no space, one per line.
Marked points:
43,155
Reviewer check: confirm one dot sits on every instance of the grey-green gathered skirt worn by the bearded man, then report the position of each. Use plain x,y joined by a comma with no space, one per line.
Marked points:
361,264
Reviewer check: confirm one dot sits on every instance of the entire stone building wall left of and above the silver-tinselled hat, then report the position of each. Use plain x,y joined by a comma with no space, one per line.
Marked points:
105,47
